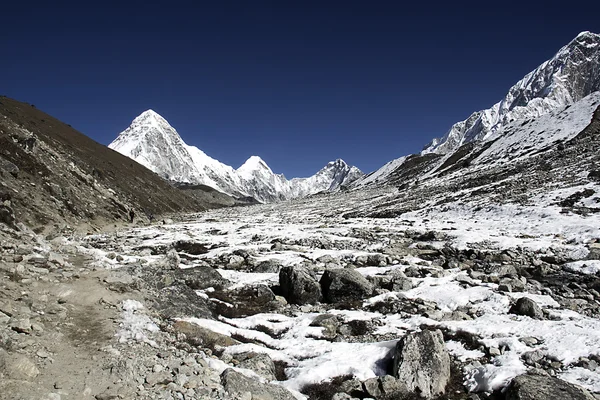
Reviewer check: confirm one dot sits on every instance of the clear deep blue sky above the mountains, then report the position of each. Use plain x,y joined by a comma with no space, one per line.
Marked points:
298,83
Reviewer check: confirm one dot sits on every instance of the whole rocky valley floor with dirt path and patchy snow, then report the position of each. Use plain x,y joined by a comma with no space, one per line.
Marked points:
293,300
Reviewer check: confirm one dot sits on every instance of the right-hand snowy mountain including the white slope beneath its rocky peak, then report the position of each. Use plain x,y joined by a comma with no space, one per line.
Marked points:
569,77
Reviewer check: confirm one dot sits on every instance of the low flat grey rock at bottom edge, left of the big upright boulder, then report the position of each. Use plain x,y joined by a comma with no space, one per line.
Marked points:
240,385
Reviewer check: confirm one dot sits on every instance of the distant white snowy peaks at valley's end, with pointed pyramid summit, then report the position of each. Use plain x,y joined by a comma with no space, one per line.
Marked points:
154,143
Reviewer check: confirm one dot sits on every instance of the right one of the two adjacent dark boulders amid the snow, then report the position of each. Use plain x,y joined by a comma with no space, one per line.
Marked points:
346,284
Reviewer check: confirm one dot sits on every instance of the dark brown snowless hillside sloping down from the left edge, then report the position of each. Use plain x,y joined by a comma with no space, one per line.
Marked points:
51,174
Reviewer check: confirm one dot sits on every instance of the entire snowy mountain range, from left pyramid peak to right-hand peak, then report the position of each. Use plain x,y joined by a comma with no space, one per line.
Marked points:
569,77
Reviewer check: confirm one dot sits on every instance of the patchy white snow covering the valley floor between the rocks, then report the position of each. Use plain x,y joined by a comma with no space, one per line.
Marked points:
313,231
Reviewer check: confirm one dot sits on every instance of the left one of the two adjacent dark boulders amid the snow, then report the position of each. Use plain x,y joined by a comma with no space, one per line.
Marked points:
298,286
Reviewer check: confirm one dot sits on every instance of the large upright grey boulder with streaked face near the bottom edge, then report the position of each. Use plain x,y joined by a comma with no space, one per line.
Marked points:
421,361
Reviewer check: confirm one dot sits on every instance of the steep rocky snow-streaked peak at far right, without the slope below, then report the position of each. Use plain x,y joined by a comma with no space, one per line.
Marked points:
569,76
